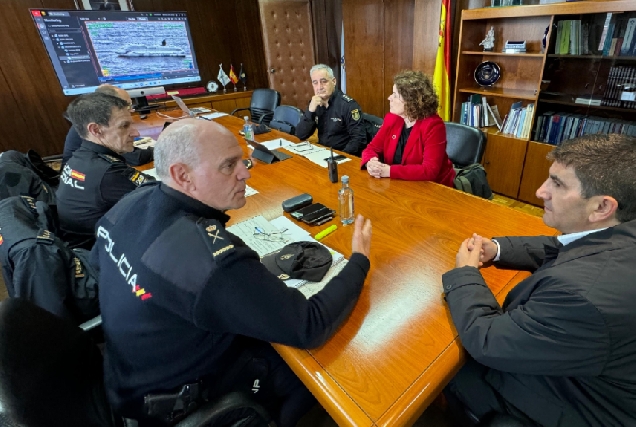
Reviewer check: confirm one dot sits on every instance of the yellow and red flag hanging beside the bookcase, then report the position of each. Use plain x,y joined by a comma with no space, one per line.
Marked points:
441,79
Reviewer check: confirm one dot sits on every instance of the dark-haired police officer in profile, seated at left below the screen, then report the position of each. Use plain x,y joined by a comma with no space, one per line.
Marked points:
96,176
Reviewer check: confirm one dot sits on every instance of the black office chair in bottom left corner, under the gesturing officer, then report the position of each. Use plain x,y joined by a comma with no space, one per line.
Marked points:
51,374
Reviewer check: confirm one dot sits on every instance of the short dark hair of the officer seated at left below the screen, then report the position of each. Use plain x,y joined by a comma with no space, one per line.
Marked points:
93,108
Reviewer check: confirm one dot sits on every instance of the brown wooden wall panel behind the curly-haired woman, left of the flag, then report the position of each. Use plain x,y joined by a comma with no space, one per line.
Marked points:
383,37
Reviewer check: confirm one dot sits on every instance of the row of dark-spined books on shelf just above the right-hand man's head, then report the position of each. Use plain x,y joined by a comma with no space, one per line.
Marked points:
554,128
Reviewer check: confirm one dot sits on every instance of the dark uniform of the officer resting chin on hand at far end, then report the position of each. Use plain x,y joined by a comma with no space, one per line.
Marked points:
339,126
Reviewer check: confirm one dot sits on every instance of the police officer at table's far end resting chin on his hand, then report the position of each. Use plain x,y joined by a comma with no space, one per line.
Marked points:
336,115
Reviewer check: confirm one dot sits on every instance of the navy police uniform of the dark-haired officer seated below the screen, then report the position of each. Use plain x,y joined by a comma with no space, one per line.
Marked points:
92,181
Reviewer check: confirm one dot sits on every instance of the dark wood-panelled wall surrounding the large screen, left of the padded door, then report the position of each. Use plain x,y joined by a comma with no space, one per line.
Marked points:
32,102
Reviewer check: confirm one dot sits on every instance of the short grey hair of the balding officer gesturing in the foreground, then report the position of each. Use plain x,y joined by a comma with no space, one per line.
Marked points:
176,145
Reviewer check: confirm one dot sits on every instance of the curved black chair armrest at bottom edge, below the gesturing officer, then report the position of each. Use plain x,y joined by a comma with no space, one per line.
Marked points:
236,406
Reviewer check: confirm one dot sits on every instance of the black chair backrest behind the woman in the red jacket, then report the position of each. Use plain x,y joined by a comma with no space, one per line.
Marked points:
464,144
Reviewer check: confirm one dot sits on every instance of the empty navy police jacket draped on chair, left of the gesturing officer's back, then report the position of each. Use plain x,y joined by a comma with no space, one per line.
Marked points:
39,267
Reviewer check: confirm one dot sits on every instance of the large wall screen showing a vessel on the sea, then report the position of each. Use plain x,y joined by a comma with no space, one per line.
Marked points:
130,50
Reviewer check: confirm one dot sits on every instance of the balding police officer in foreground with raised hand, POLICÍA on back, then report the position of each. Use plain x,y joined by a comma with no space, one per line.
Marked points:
190,305
